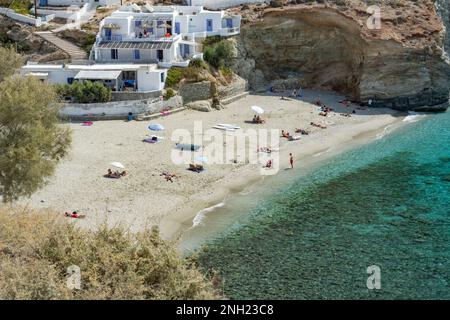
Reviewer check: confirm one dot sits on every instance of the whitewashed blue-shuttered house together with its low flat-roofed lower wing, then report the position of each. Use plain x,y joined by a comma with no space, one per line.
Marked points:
136,45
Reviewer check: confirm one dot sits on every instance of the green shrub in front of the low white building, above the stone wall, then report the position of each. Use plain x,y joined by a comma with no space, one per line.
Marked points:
85,92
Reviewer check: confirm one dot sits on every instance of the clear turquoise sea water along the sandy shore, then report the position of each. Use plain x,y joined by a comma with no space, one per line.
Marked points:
386,203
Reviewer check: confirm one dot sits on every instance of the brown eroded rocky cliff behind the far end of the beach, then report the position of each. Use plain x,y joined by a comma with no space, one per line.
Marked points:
402,65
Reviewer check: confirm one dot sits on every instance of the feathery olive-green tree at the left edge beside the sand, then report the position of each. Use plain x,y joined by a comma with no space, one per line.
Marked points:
31,140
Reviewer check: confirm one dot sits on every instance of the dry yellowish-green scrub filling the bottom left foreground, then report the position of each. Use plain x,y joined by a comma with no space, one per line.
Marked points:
36,248
